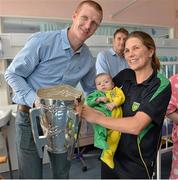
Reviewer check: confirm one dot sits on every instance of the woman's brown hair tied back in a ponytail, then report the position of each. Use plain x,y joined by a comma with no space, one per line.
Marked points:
148,41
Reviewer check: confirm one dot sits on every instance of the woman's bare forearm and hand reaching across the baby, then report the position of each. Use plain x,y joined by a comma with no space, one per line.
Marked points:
131,125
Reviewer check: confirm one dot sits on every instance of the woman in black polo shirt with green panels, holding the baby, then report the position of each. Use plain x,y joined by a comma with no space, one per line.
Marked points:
147,96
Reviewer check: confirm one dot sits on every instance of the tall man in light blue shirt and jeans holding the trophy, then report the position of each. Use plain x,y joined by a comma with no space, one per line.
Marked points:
47,59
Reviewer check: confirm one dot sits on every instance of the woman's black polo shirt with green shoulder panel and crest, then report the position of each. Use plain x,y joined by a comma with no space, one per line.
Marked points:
152,97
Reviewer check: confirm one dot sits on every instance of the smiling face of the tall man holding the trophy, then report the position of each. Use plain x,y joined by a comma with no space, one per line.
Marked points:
85,22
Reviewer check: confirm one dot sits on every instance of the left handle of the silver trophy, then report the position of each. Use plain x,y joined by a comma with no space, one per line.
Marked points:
40,141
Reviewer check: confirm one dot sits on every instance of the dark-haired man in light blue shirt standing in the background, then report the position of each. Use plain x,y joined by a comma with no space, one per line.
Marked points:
112,61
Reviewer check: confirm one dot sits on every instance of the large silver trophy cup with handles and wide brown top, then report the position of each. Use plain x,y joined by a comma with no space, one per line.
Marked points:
59,121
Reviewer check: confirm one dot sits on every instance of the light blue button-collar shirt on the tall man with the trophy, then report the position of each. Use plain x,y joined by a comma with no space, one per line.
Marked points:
47,59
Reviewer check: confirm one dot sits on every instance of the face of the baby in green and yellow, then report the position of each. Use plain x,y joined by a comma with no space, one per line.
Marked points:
104,83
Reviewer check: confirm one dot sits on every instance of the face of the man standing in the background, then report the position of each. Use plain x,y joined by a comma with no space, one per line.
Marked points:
119,43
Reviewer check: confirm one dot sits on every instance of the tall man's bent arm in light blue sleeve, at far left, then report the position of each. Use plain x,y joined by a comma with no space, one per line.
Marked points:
18,71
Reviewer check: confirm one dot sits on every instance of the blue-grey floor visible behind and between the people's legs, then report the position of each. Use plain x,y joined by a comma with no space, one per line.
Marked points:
78,171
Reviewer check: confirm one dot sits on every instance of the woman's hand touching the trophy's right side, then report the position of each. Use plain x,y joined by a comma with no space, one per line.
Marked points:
90,114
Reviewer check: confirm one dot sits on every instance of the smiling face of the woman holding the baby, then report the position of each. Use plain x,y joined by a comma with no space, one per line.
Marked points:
138,56
